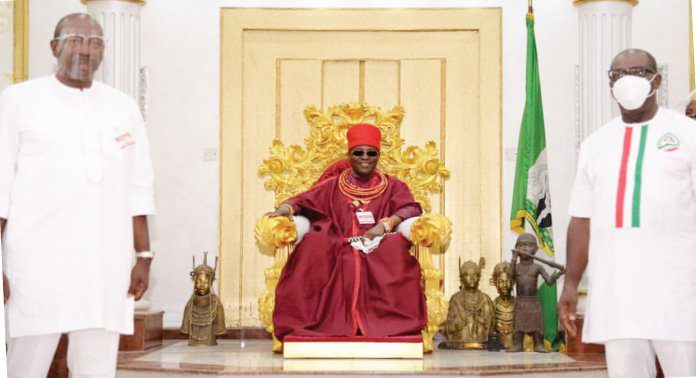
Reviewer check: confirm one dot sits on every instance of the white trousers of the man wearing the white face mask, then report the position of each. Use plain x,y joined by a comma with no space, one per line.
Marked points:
635,358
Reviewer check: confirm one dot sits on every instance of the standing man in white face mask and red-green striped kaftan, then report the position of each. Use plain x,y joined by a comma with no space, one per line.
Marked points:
633,226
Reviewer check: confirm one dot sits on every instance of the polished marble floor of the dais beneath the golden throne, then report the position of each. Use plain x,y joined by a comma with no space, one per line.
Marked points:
254,357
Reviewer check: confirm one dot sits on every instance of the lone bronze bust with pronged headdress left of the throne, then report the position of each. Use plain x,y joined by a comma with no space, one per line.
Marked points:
204,317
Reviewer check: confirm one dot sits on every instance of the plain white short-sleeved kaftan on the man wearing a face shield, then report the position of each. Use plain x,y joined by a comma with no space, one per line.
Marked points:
74,169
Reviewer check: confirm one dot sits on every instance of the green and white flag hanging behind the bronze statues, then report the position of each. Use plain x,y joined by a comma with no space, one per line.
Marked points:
531,200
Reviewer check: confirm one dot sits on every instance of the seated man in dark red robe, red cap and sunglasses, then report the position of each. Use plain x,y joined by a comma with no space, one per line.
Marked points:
330,287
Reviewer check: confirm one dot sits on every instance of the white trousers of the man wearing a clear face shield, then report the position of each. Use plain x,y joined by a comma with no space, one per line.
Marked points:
91,353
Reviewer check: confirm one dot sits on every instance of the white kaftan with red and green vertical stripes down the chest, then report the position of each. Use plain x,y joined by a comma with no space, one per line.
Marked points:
637,184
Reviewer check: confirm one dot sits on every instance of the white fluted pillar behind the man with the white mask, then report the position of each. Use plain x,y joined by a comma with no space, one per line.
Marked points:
605,30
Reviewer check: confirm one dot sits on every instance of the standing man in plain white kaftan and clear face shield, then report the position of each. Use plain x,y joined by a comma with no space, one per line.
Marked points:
75,190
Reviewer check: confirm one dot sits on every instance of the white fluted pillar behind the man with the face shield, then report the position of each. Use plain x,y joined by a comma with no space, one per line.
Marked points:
120,20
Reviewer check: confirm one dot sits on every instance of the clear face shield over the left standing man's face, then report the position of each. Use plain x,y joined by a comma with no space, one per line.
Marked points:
79,53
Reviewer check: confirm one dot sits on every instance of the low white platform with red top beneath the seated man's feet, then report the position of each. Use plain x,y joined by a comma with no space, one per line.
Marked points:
353,347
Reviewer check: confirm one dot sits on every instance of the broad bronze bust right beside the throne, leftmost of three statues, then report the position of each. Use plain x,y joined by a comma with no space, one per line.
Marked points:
470,318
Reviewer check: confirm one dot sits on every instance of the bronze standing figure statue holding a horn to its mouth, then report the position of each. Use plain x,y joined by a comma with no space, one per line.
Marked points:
528,317
